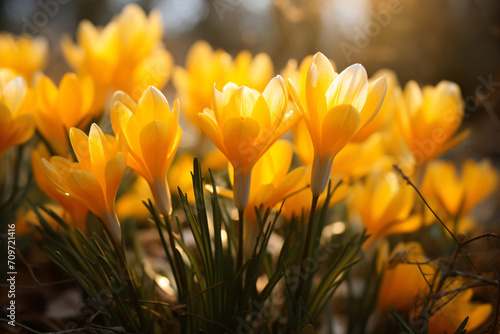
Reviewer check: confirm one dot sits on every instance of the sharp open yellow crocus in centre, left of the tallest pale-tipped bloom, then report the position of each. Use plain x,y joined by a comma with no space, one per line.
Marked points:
244,124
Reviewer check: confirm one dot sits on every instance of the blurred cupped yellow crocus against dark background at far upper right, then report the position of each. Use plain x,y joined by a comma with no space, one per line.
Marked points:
429,118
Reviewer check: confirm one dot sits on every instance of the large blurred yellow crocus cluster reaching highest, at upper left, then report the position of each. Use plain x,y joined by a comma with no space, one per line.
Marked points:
127,54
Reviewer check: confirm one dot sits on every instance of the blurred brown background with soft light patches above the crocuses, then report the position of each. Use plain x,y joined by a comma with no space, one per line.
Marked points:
425,40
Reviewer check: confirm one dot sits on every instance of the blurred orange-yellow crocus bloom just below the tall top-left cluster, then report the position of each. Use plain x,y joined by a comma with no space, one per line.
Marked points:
58,109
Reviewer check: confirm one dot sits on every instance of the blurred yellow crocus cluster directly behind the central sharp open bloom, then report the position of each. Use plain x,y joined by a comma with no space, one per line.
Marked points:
206,67
